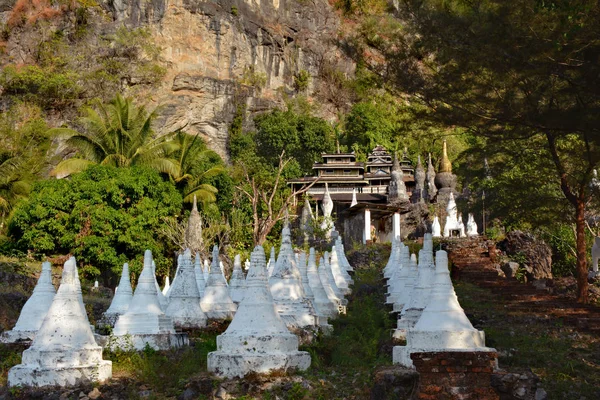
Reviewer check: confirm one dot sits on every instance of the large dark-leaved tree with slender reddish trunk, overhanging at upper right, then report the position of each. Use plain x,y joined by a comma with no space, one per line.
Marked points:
509,71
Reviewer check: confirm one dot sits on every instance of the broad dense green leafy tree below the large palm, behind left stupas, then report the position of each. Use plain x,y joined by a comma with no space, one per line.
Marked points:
104,216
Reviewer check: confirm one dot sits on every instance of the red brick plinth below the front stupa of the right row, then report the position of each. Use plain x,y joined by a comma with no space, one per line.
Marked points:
459,375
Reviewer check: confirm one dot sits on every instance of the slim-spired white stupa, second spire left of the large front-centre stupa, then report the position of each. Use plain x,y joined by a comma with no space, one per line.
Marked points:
216,302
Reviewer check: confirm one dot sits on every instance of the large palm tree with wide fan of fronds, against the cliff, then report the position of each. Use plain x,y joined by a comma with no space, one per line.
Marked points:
119,134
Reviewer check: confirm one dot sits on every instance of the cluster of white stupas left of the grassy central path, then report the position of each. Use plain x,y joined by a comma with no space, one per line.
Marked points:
64,351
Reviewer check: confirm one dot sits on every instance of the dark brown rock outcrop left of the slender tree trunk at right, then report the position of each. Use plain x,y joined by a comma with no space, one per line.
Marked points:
538,255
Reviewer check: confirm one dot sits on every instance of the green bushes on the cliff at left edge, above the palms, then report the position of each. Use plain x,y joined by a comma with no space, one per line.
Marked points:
42,86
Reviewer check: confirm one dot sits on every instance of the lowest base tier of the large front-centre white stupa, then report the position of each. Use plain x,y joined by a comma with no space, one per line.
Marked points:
231,365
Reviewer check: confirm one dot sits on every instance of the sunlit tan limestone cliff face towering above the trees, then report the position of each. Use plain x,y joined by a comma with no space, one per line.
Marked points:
222,54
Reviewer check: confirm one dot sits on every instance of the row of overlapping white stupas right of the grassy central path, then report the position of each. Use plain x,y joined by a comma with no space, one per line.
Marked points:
430,317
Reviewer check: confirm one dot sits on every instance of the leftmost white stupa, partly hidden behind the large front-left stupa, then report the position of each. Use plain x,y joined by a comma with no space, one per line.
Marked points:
35,309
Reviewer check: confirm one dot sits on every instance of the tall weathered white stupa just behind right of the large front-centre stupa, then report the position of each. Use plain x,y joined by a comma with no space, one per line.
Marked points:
286,287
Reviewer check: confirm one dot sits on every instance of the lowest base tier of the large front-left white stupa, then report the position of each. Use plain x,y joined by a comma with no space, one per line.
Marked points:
35,376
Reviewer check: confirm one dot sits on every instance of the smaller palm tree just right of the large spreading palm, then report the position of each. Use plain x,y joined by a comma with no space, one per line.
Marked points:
195,163
